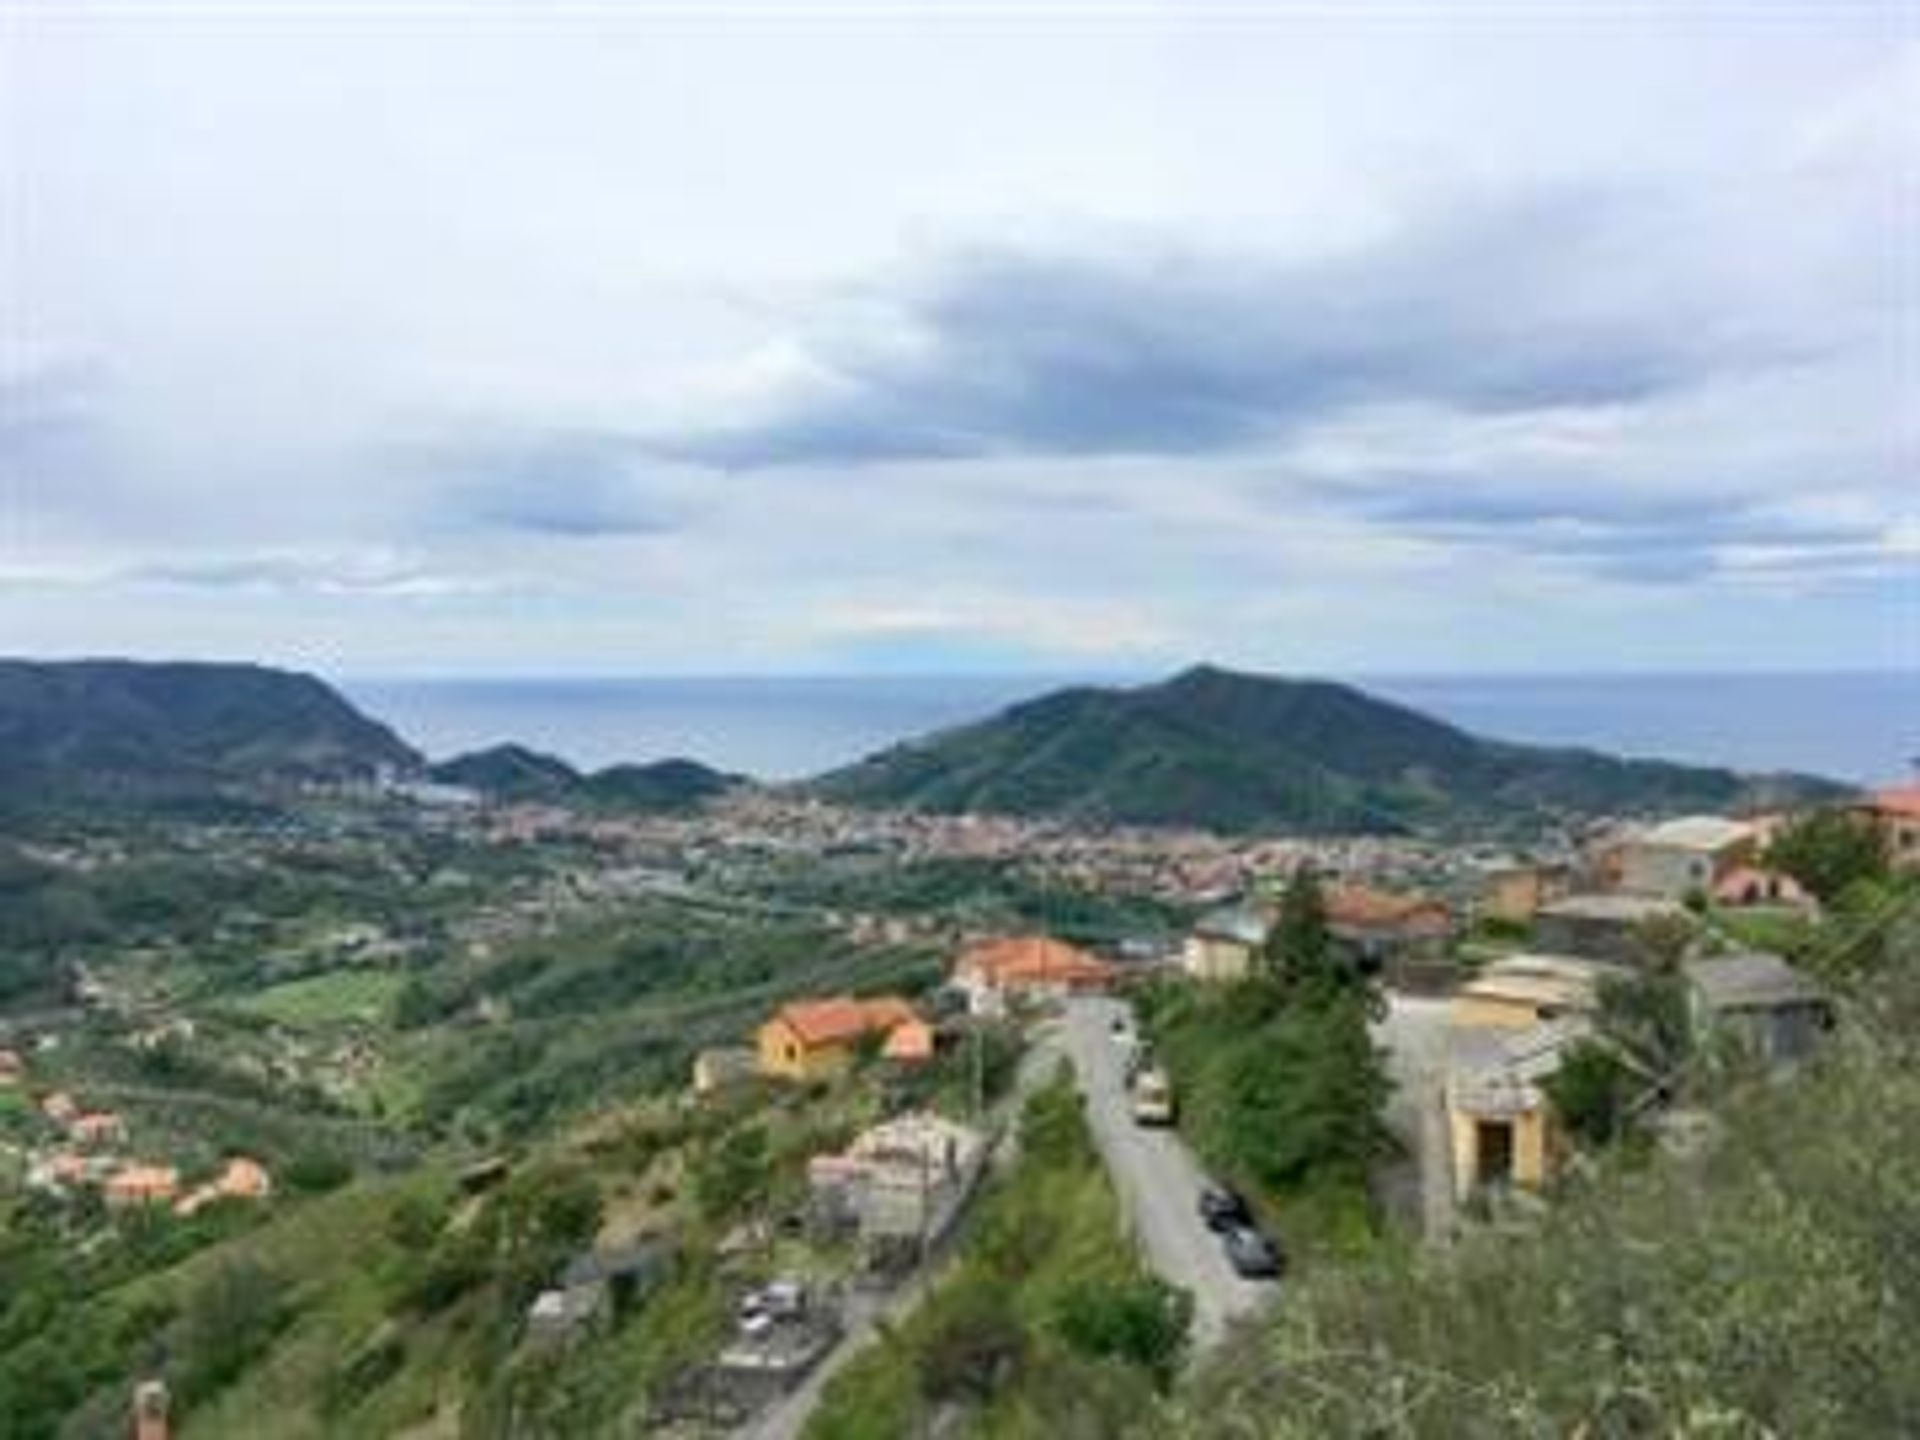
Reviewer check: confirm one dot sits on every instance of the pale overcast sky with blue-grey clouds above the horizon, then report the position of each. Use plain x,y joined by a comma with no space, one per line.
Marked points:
590,339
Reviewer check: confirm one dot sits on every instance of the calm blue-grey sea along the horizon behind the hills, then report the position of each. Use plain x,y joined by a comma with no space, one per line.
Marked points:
1854,727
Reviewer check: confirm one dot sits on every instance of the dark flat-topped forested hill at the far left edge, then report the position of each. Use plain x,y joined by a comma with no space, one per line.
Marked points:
145,729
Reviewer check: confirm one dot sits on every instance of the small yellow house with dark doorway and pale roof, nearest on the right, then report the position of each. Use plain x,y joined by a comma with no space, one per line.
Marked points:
1500,1124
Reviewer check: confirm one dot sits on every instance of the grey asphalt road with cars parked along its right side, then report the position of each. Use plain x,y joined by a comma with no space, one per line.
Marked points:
1157,1178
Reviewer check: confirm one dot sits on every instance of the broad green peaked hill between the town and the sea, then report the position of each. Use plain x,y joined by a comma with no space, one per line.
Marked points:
1237,752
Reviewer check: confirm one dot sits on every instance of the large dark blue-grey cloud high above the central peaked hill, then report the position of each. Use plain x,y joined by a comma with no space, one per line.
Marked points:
1159,350
